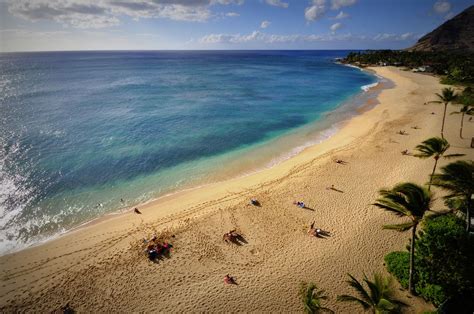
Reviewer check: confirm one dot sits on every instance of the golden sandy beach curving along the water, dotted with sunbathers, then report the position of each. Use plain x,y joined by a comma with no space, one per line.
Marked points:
102,267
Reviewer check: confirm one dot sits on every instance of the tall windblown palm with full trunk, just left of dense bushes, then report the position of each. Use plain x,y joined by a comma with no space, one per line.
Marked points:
406,200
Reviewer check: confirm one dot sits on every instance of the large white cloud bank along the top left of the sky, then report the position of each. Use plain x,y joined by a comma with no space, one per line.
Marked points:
106,13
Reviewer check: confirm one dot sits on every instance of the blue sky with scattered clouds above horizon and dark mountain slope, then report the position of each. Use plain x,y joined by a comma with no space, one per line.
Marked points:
58,25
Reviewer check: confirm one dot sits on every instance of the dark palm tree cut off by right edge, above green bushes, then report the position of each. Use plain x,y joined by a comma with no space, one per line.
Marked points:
458,178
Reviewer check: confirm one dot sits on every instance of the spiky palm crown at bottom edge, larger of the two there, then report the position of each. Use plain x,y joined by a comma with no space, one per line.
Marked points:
378,298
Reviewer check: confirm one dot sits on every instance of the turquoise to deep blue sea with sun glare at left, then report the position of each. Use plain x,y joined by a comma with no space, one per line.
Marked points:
79,131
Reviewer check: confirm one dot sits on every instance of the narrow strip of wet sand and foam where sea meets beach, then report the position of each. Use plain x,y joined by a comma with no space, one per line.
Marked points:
355,105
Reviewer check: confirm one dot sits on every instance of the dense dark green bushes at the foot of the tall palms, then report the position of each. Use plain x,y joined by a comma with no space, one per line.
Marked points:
444,252
